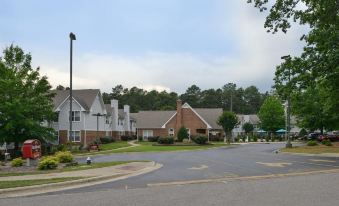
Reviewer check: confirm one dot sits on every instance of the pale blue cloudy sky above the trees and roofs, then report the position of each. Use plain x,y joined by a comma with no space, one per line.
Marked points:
163,45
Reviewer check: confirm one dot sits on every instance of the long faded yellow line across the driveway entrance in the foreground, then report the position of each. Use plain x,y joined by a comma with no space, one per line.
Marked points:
259,177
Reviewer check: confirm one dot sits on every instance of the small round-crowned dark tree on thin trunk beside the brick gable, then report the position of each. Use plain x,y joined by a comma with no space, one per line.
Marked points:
228,120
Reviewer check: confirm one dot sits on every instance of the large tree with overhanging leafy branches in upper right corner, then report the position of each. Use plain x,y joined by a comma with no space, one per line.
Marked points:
318,65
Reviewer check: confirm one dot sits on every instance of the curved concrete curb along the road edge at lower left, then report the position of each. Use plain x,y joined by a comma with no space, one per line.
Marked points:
54,187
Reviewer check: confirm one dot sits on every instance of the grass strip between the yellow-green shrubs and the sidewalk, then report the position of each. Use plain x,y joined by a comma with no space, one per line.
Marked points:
67,169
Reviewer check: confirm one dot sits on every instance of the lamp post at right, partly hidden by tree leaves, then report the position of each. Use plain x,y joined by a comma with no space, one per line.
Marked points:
288,108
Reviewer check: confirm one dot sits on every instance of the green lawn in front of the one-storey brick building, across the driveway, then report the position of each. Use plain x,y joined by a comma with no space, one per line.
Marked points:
149,147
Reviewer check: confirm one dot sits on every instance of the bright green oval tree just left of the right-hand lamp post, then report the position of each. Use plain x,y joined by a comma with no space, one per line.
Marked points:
271,115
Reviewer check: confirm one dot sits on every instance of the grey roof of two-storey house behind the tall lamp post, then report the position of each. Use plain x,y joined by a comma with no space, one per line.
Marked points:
85,97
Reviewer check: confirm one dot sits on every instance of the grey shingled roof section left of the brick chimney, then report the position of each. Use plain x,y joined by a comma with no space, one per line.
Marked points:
153,119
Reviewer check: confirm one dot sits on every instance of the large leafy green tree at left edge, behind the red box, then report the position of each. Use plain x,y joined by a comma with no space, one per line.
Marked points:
26,100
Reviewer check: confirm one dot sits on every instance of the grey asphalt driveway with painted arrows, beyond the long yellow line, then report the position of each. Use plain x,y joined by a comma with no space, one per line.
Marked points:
246,160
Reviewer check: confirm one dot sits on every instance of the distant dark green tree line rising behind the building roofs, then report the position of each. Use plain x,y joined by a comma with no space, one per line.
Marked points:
229,97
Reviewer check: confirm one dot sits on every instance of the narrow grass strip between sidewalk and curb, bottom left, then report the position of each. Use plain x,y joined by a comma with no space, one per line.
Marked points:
22,183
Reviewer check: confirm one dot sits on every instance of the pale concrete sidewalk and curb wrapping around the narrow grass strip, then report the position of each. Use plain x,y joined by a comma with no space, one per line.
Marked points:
89,177
